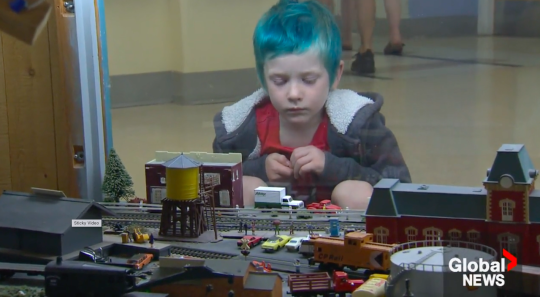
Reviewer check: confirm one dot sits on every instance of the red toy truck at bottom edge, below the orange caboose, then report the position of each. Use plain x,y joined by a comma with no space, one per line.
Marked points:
320,284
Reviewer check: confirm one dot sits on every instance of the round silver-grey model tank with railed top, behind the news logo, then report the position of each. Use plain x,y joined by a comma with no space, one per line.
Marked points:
425,264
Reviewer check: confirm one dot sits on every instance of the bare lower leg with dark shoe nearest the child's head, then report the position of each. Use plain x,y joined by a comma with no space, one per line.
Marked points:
364,62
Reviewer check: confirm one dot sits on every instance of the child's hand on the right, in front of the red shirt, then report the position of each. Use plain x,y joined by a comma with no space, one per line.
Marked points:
307,159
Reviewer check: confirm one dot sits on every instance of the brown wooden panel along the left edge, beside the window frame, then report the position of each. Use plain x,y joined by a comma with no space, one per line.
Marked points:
37,108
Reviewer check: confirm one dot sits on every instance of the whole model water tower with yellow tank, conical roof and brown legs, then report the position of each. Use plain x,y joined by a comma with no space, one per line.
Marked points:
183,202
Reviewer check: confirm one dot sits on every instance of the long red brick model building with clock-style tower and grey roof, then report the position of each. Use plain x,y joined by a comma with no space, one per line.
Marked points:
504,214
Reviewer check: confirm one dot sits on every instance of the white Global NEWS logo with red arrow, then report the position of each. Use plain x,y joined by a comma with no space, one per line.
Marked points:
483,273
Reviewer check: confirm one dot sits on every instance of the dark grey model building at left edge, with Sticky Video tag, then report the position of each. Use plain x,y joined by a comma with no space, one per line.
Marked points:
41,224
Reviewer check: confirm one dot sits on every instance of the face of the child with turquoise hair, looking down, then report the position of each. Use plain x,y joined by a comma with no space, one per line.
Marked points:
298,86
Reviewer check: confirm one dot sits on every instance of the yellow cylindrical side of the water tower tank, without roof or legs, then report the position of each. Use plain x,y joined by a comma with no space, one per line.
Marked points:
182,184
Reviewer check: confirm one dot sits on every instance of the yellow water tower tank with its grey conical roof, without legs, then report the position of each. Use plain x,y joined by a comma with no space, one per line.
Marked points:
182,178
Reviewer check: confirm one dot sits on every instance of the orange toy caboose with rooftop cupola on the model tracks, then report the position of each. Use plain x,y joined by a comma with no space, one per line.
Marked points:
356,250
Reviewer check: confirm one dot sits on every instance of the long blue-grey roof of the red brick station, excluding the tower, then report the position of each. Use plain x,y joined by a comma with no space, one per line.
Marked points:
426,200
